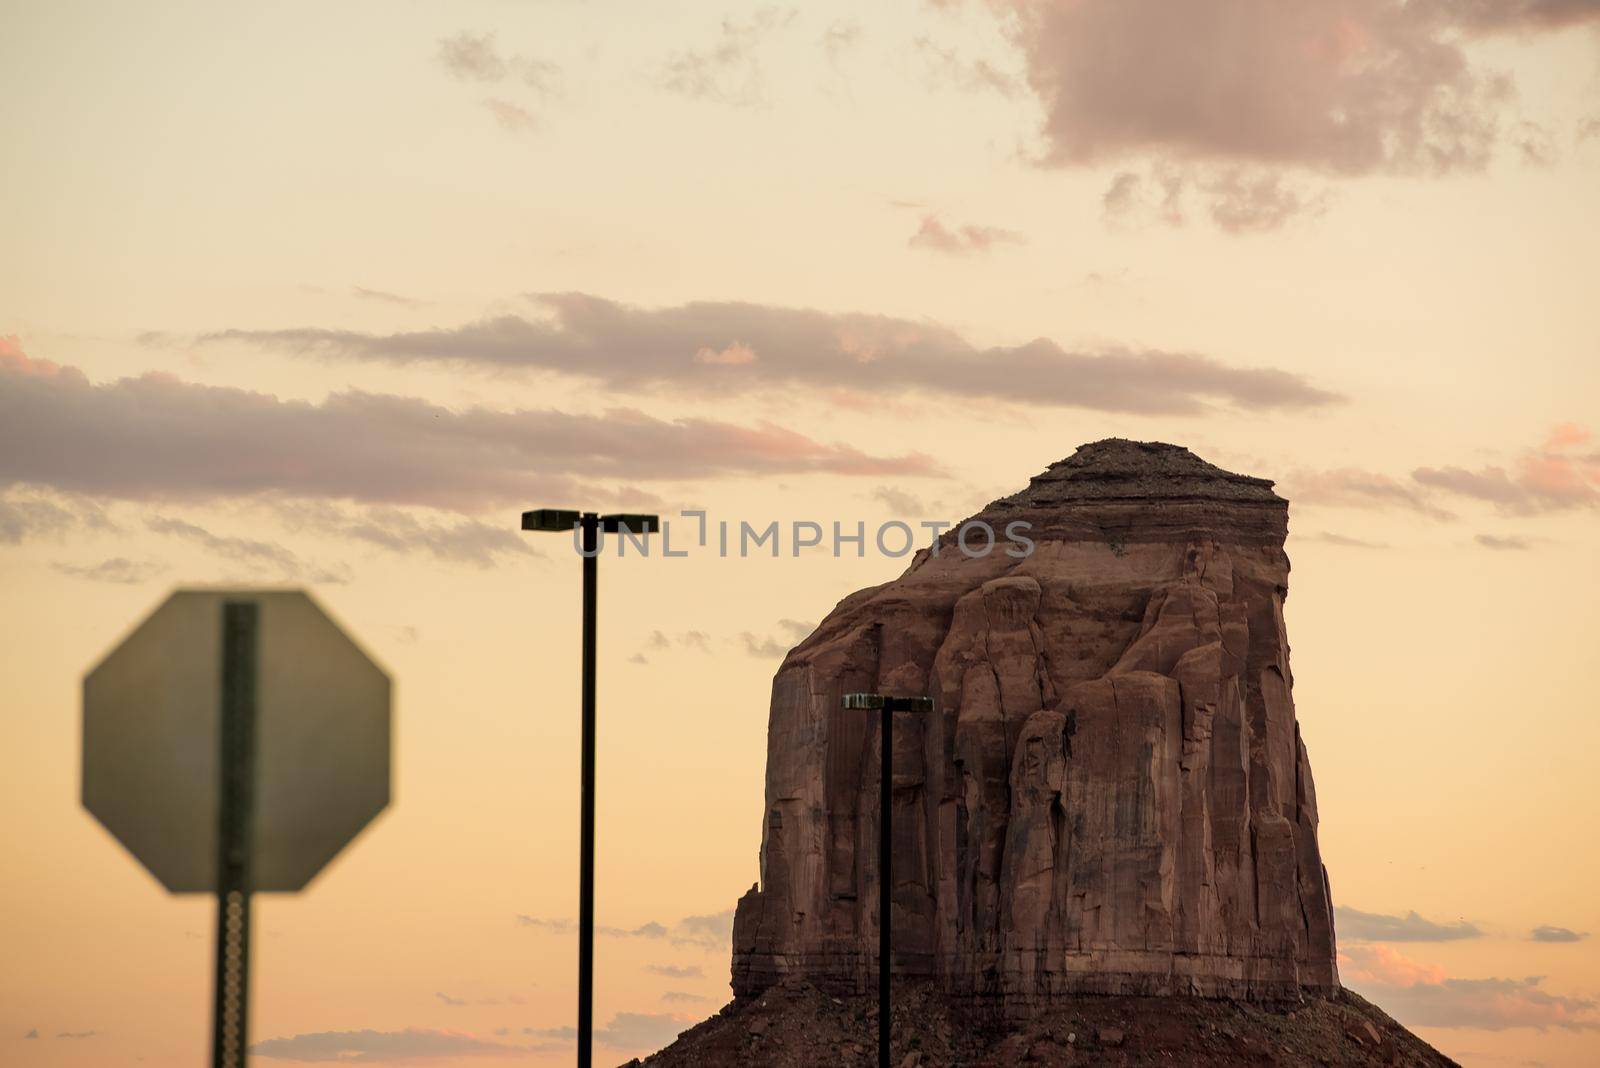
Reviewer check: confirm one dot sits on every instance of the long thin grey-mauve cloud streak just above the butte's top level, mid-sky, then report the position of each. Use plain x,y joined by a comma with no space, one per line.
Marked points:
633,349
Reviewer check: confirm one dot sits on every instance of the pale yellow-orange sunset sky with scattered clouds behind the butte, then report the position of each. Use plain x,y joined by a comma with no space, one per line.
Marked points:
327,295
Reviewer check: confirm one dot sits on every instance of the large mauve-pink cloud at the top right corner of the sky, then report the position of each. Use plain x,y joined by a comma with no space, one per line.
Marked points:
1214,89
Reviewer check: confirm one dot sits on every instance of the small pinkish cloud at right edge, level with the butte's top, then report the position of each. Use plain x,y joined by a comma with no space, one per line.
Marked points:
1558,476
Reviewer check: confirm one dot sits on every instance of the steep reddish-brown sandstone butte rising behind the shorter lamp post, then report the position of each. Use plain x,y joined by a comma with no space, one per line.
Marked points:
1113,795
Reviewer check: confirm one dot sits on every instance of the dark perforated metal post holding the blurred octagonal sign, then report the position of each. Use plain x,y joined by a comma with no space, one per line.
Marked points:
231,1013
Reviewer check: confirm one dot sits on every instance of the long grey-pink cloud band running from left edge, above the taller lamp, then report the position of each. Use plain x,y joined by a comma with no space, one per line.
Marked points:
161,439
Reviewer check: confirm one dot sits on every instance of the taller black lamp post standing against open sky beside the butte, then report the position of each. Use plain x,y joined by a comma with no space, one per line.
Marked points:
590,525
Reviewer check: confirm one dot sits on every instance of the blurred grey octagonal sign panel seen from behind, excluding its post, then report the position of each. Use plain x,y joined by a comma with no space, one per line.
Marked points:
153,741
